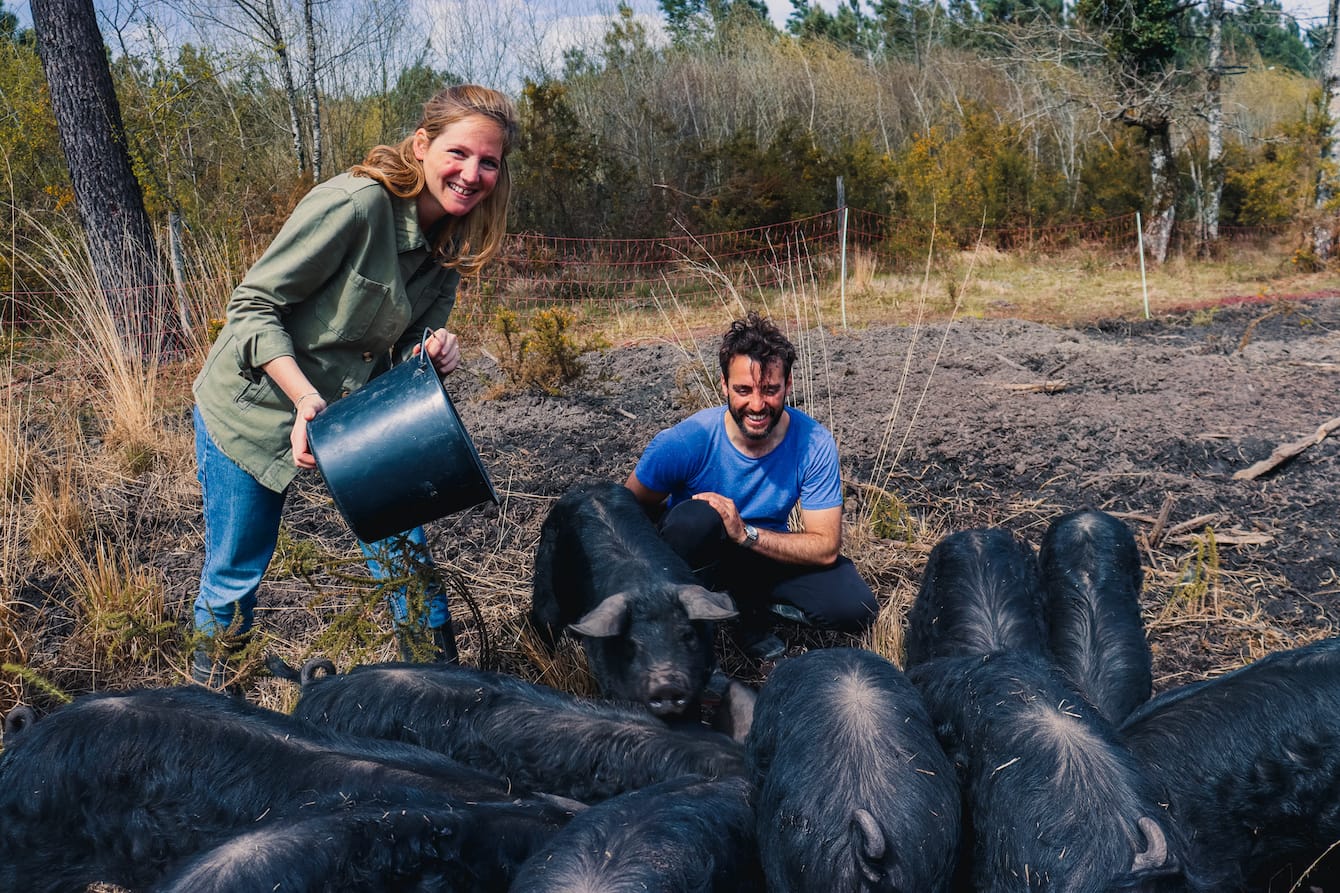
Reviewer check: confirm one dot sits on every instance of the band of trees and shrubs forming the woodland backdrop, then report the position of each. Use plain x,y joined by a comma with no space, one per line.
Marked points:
1004,115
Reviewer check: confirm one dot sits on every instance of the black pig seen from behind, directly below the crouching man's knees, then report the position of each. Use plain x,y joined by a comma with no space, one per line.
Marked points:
854,790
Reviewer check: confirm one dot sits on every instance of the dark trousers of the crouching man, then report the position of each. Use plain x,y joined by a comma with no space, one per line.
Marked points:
830,597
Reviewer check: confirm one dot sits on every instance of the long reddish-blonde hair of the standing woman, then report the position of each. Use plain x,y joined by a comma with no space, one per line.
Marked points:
470,242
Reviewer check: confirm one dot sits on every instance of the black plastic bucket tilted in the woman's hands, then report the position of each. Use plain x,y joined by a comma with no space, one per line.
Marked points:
395,454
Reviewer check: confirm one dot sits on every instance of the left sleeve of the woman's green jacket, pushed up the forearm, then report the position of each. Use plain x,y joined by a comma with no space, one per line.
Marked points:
310,250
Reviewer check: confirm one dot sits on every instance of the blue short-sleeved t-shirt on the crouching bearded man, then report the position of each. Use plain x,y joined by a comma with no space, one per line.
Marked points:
697,457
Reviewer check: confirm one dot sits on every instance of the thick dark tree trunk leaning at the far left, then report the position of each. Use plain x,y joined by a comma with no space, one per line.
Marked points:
93,139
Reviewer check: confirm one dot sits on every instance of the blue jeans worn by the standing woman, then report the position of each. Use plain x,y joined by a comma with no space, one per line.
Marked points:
242,529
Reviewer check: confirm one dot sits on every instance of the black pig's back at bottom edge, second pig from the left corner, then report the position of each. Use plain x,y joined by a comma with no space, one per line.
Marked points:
369,849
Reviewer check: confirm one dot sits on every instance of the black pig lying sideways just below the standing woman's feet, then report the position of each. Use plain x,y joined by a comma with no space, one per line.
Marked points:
534,735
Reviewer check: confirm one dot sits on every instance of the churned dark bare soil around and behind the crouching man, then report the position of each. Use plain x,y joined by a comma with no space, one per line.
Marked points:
941,427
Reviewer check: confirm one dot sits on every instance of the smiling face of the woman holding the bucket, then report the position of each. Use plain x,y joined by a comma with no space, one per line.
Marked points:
460,167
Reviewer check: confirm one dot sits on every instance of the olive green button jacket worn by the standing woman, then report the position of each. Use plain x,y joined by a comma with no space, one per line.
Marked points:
348,288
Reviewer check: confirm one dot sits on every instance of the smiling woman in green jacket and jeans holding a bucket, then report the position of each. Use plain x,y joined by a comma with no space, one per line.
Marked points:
399,230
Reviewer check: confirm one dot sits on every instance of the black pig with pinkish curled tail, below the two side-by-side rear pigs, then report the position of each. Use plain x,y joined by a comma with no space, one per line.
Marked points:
1053,801
